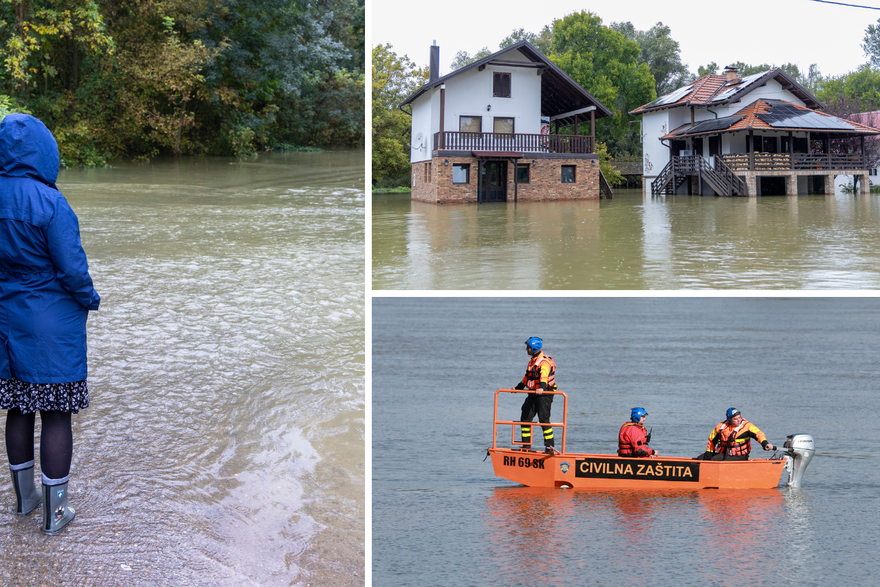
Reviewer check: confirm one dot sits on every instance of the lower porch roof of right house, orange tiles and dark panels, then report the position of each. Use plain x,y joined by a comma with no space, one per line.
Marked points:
777,115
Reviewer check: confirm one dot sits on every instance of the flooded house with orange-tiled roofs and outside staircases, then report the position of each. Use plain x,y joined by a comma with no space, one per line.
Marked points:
760,134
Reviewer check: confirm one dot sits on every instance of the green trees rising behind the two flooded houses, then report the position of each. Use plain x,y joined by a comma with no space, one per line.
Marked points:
623,68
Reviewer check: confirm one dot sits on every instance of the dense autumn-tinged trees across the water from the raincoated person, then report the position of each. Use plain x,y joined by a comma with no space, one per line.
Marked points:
141,78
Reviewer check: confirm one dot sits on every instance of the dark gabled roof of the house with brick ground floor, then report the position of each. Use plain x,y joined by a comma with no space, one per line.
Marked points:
559,93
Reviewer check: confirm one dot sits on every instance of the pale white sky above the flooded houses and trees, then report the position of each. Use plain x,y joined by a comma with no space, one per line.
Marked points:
752,31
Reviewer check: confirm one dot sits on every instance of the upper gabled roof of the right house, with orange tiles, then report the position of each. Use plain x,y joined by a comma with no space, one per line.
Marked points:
715,90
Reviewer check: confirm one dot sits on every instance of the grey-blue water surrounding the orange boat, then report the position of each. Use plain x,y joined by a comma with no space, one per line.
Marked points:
441,517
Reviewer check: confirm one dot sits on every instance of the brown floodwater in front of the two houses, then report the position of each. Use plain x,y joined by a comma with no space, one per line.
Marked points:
629,242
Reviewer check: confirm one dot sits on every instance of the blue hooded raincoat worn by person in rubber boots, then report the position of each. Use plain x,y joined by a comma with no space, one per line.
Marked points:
45,288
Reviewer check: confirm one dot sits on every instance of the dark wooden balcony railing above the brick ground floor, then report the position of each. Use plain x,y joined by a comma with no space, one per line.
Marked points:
491,141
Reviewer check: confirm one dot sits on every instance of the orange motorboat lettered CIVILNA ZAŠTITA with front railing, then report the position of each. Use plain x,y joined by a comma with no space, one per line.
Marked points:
597,471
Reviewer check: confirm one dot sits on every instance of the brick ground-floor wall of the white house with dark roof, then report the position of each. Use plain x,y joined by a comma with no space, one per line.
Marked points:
432,181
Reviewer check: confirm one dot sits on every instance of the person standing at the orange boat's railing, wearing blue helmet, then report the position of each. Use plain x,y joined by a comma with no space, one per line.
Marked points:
540,376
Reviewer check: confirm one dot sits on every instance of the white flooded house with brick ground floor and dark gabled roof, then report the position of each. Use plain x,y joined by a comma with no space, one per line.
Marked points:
507,128
